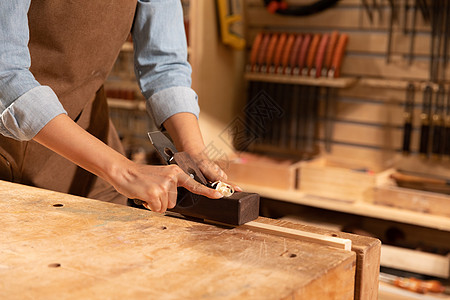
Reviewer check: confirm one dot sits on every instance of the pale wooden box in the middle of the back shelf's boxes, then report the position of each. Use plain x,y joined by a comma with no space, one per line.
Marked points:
345,183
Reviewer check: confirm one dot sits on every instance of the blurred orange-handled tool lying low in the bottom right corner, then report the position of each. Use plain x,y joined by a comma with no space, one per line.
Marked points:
414,284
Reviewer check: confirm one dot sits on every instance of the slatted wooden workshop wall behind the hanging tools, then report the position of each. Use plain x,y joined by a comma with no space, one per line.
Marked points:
368,119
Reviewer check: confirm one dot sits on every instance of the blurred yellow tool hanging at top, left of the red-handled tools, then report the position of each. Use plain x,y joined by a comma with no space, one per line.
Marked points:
228,15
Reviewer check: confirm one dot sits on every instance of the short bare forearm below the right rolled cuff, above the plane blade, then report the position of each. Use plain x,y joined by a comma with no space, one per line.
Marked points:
185,132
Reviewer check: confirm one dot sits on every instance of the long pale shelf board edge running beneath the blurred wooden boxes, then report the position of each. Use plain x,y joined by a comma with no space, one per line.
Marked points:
356,208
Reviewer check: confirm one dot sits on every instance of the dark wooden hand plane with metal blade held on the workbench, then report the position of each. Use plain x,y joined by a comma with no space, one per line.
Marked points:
236,209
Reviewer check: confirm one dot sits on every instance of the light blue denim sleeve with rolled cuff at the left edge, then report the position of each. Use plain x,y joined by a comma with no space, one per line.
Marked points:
25,106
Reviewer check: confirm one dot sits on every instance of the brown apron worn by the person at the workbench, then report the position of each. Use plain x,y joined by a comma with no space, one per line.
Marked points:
73,46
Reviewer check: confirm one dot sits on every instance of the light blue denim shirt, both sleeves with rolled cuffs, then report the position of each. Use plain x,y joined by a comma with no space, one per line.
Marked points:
161,67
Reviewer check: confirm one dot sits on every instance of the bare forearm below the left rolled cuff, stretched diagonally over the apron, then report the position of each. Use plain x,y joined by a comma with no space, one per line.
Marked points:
65,137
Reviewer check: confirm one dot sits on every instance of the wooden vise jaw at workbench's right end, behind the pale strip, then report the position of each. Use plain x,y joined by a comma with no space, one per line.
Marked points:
367,251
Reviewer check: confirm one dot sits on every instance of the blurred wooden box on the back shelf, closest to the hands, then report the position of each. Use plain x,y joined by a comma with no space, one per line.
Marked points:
262,170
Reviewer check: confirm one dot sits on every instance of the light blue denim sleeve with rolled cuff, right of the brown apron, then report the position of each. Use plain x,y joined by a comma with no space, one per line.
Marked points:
161,65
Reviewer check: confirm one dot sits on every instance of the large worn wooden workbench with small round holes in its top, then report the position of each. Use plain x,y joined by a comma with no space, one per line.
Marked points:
55,246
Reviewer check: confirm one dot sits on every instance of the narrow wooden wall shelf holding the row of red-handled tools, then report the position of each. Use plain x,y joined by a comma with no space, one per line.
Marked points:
343,82
